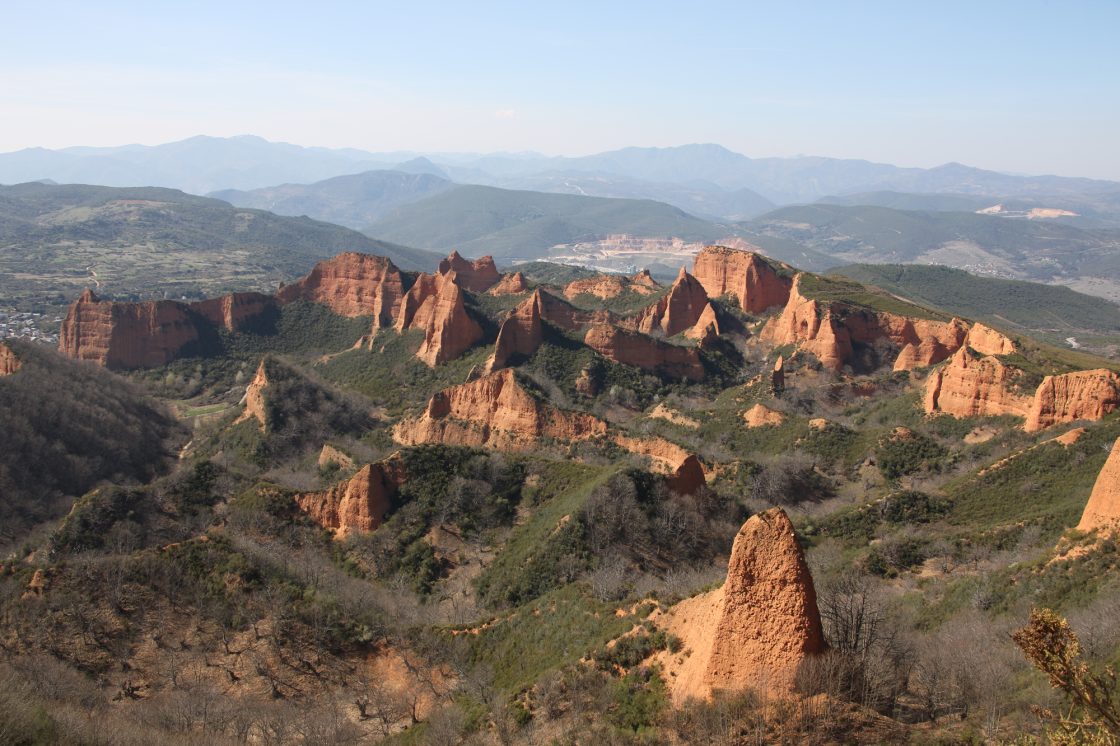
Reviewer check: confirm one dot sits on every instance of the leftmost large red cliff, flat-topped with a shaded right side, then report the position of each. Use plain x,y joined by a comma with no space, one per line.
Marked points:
123,335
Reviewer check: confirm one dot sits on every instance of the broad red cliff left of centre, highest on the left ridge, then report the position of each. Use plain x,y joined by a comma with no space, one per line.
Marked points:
351,285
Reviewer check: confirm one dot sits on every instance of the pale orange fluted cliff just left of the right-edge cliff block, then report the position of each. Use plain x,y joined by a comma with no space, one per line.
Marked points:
969,387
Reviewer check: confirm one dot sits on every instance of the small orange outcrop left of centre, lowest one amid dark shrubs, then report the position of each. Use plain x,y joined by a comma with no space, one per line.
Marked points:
359,503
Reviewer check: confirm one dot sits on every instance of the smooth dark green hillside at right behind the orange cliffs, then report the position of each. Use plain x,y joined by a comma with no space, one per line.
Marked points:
1053,313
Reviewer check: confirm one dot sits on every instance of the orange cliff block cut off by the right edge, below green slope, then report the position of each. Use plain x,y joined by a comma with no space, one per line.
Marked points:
1079,396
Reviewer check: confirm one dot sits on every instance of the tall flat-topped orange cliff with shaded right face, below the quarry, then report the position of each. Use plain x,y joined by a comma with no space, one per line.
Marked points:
746,275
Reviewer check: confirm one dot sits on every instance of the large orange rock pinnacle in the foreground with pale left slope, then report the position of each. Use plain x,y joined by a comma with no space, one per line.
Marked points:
758,630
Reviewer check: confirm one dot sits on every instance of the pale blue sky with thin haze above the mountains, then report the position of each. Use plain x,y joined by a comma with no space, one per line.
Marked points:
1030,88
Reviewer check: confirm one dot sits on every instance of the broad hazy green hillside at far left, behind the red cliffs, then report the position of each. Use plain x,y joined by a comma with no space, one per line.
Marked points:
59,239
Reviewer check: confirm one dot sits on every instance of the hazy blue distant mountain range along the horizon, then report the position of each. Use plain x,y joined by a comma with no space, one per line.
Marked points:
706,180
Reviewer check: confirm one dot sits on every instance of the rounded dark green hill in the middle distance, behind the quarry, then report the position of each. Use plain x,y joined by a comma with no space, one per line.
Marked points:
506,223
